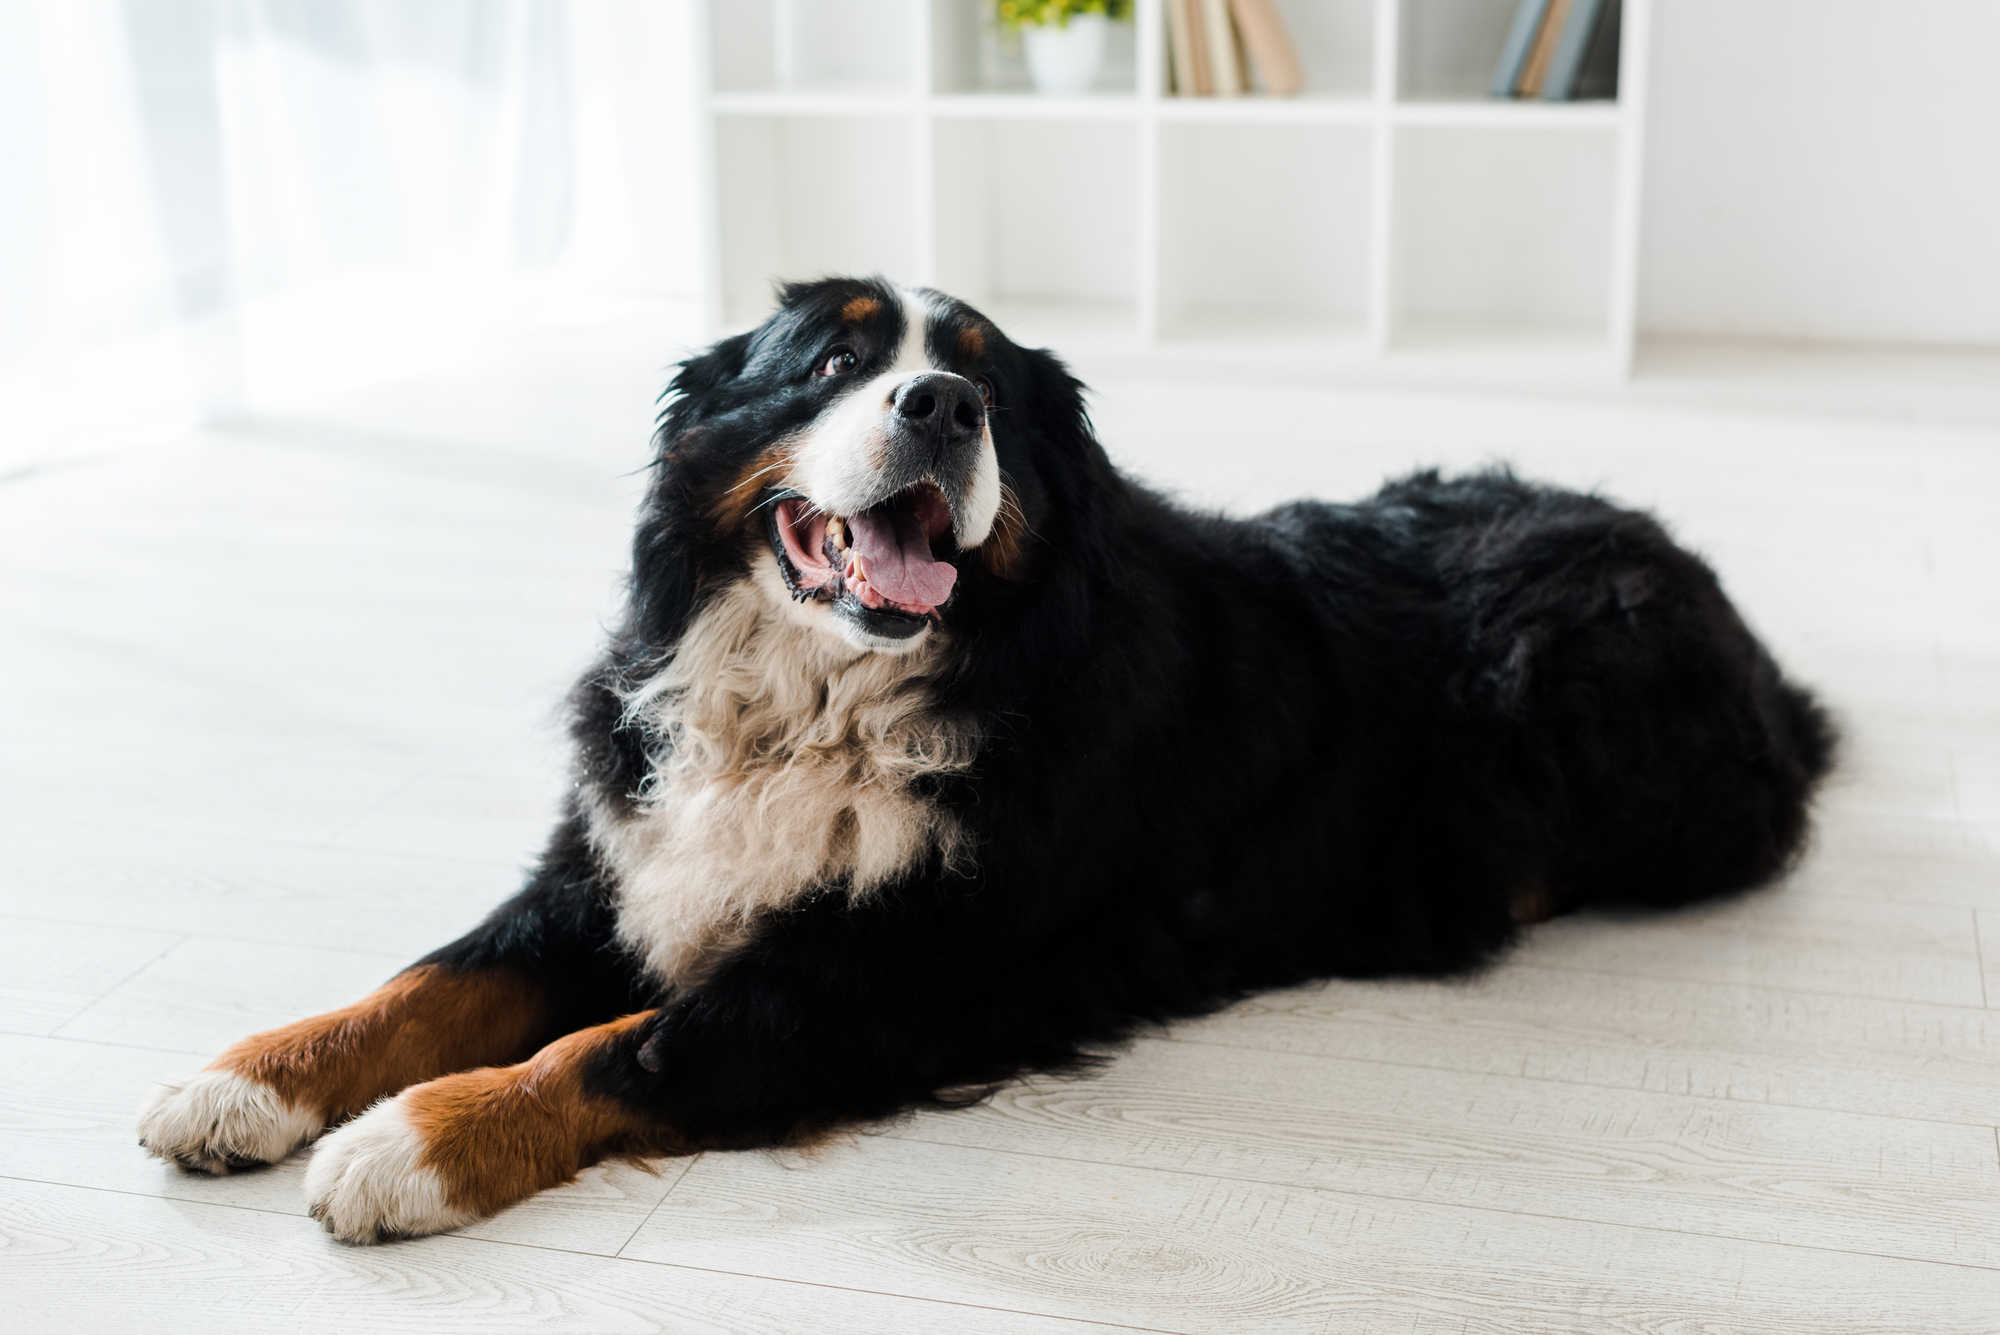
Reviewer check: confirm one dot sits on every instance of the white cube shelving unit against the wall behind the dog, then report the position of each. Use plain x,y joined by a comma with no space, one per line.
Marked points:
1393,213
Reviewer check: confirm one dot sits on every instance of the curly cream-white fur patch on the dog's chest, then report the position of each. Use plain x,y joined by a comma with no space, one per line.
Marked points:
783,766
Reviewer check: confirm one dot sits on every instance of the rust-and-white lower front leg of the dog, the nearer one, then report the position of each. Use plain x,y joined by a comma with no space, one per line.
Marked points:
465,1146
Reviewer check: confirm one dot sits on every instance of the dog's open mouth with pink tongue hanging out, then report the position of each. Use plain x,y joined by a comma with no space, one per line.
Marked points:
893,561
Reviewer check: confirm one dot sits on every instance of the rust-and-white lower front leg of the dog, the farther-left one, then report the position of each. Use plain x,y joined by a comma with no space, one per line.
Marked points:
279,1090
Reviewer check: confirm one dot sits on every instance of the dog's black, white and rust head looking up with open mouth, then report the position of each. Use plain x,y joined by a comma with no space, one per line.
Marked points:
871,455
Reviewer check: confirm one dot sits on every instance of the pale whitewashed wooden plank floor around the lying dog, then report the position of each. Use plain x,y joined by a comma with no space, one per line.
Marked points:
279,716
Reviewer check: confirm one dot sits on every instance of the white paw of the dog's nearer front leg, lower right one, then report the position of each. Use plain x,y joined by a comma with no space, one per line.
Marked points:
367,1186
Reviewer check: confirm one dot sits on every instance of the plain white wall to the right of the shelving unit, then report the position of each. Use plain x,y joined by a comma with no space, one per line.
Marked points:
1825,169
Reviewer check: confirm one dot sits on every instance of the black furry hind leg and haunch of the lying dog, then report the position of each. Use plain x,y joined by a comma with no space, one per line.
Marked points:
1645,746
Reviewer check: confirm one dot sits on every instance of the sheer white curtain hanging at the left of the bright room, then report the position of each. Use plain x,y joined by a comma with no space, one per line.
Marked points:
219,207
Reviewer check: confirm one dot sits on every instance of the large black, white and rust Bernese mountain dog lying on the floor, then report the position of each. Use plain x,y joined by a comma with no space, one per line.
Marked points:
933,750
